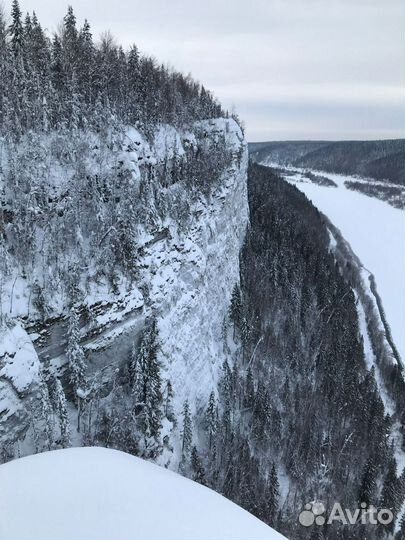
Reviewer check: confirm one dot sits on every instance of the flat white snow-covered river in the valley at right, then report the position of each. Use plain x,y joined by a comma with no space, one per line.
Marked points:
376,233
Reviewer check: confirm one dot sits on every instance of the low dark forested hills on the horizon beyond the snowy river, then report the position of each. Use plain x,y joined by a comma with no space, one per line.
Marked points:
382,160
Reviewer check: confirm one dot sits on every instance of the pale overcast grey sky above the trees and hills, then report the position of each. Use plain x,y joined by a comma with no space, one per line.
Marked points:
293,69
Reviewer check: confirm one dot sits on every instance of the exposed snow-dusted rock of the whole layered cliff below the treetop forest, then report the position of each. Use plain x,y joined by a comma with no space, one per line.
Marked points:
184,278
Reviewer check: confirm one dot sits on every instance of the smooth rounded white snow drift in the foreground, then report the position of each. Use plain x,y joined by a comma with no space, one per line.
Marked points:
100,494
